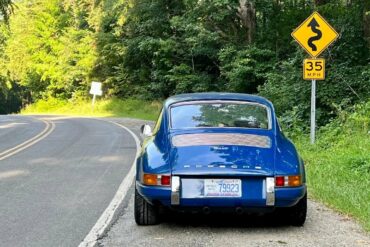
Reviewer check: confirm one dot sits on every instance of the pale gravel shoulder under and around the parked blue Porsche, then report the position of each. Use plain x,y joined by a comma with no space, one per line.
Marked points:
323,228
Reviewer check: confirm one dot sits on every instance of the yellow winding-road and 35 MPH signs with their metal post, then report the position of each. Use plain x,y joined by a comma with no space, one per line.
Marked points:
314,35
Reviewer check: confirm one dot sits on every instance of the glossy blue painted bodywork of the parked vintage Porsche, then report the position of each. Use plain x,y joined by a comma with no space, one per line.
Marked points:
251,164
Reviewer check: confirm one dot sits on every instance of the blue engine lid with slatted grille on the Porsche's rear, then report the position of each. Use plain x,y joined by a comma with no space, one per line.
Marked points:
222,154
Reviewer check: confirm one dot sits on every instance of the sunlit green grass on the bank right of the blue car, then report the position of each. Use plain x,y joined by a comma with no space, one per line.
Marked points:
338,165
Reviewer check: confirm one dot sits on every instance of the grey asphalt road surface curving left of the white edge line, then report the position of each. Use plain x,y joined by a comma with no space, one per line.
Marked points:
53,192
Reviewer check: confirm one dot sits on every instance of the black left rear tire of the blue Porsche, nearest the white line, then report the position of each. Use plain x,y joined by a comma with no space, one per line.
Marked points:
145,213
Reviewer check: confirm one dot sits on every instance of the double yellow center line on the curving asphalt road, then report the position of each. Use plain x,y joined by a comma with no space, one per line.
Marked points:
50,126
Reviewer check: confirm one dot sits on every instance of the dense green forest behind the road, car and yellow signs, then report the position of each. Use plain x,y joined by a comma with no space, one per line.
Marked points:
151,49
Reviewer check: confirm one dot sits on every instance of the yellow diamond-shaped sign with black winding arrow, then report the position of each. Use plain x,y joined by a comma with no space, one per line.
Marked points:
315,34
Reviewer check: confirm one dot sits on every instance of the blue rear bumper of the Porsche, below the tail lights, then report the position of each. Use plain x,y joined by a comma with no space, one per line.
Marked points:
252,198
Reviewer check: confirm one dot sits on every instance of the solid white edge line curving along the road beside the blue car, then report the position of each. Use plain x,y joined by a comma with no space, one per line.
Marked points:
106,218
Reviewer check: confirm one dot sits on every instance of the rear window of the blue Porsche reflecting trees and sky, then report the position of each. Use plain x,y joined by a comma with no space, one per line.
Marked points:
219,115
